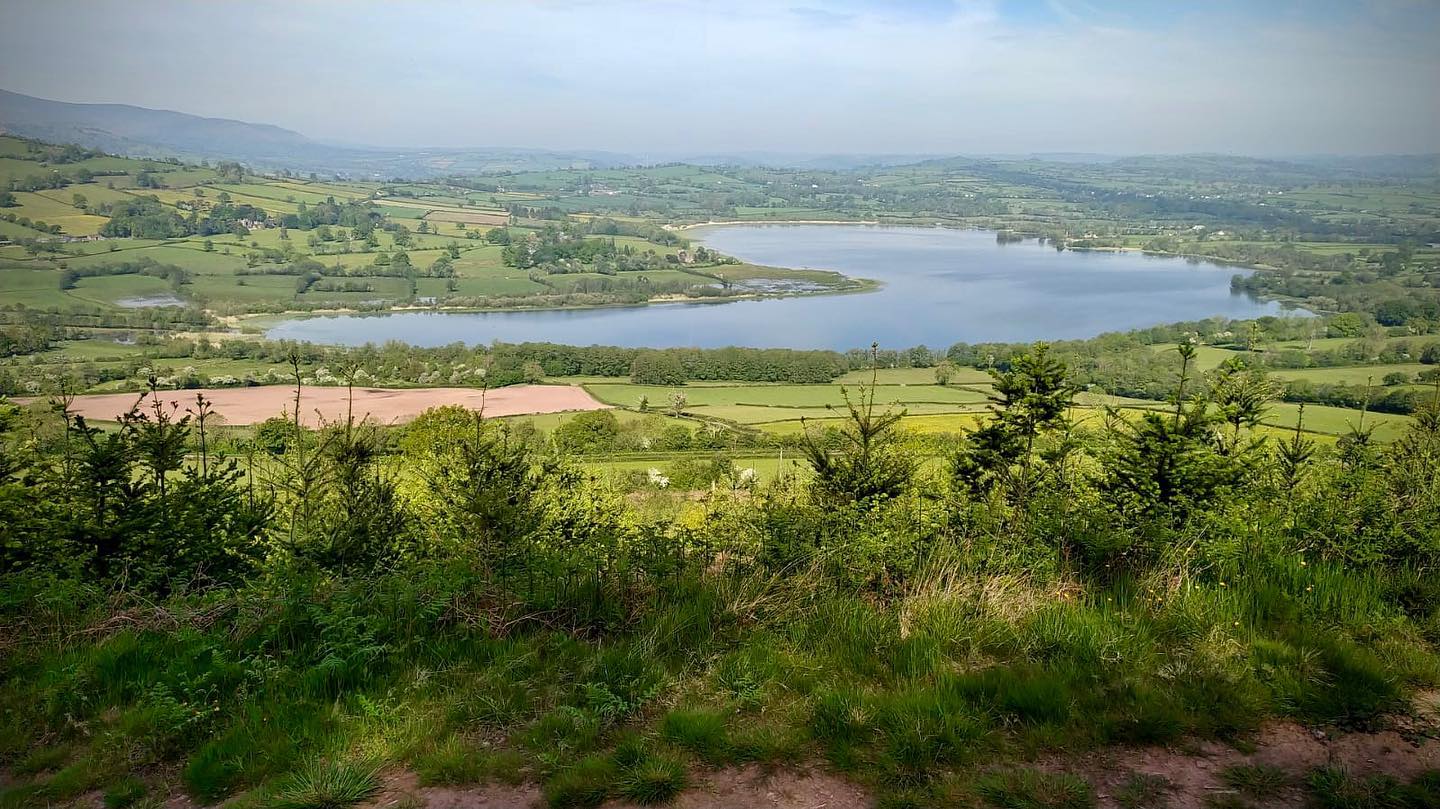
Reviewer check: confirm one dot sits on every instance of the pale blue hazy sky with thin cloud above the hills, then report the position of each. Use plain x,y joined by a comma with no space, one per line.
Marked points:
801,77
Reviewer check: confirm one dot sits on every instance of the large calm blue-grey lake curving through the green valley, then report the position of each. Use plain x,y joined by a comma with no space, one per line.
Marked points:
940,287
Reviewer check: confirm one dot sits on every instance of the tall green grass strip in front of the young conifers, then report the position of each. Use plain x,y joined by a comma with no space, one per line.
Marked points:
712,669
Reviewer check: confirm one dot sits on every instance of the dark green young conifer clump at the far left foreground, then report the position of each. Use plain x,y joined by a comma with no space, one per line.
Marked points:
125,505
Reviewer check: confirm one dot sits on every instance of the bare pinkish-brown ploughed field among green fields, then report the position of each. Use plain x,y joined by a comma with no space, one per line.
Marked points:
384,405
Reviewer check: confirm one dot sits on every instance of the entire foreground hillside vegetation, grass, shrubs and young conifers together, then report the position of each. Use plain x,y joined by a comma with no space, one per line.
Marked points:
282,625
